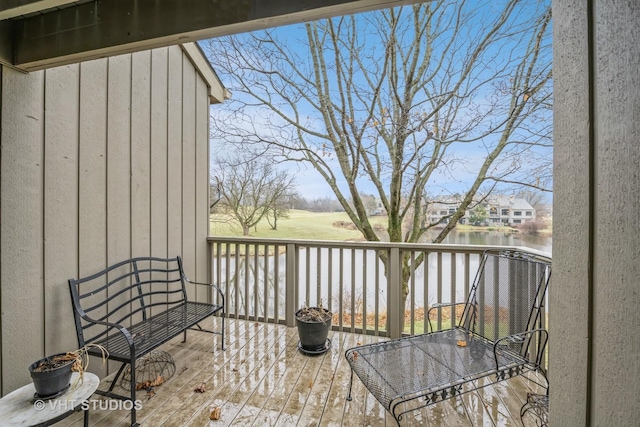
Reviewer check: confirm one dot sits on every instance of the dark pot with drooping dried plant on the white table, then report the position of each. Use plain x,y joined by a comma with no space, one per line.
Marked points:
51,375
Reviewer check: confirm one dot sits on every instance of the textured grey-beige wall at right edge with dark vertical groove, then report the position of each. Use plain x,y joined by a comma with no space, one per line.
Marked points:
594,316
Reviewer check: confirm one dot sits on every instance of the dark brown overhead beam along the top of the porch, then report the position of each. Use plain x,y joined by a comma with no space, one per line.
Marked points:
37,34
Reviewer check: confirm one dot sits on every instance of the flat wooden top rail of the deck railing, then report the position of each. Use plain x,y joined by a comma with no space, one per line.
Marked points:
431,247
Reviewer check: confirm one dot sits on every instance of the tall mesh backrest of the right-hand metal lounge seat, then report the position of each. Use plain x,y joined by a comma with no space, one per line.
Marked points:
508,297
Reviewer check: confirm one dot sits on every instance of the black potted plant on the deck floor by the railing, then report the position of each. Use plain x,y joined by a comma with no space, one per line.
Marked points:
313,328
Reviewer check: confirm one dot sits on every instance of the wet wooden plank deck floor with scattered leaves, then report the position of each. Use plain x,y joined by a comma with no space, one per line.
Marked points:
262,379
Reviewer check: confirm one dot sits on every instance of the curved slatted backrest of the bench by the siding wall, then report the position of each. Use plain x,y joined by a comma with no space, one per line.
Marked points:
126,293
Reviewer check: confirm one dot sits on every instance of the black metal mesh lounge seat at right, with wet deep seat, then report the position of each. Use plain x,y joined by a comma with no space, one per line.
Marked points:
499,335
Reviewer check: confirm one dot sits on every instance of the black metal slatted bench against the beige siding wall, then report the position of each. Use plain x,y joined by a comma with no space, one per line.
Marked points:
134,306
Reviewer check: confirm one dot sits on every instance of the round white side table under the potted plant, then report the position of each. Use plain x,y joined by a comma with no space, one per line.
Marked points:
19,408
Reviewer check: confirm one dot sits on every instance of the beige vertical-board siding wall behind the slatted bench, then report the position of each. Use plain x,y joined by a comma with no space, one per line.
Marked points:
100,161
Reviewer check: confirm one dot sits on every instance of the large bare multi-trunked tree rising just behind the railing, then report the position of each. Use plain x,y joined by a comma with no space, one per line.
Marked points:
399,98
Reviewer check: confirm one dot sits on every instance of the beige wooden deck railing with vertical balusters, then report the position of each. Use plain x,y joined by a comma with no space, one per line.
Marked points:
267,280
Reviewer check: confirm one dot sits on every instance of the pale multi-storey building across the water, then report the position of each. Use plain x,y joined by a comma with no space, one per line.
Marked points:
507,210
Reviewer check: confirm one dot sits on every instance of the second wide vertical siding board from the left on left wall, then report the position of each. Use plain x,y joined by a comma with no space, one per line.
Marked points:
61,150
